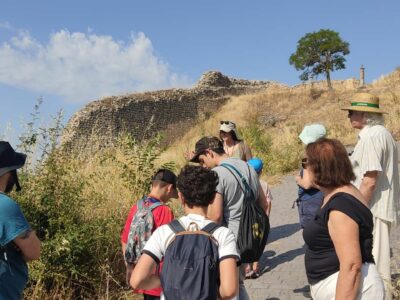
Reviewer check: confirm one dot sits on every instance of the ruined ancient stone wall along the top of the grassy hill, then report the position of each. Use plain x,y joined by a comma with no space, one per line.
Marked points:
142,114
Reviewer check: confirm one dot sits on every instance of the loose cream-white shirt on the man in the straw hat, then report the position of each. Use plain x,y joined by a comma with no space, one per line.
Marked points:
376,150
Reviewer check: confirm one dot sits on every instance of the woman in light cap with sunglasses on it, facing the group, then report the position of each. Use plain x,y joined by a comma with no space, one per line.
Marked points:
233,145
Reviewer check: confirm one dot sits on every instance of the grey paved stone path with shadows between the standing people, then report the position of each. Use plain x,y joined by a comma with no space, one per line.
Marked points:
283,261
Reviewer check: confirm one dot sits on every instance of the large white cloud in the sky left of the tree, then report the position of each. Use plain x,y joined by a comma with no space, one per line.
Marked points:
83,66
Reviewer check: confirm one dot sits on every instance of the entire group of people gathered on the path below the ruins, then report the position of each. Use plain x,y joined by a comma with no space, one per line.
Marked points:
347,206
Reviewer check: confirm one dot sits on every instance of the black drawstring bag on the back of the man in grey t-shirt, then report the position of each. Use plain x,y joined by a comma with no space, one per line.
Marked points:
254,223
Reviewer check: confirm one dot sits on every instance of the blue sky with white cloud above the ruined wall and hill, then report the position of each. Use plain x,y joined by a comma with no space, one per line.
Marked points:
72,52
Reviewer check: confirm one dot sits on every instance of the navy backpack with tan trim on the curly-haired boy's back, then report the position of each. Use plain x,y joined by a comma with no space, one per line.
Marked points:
191,264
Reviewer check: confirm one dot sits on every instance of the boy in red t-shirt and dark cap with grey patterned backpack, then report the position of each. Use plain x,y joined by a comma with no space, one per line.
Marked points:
144,217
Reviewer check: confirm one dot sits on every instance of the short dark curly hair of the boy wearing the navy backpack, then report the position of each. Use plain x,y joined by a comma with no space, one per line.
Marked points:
198,185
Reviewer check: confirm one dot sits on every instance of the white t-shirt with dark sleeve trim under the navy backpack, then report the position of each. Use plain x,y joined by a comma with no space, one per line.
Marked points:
162,236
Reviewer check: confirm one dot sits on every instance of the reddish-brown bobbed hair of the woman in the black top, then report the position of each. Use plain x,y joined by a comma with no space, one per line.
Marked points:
330,163
